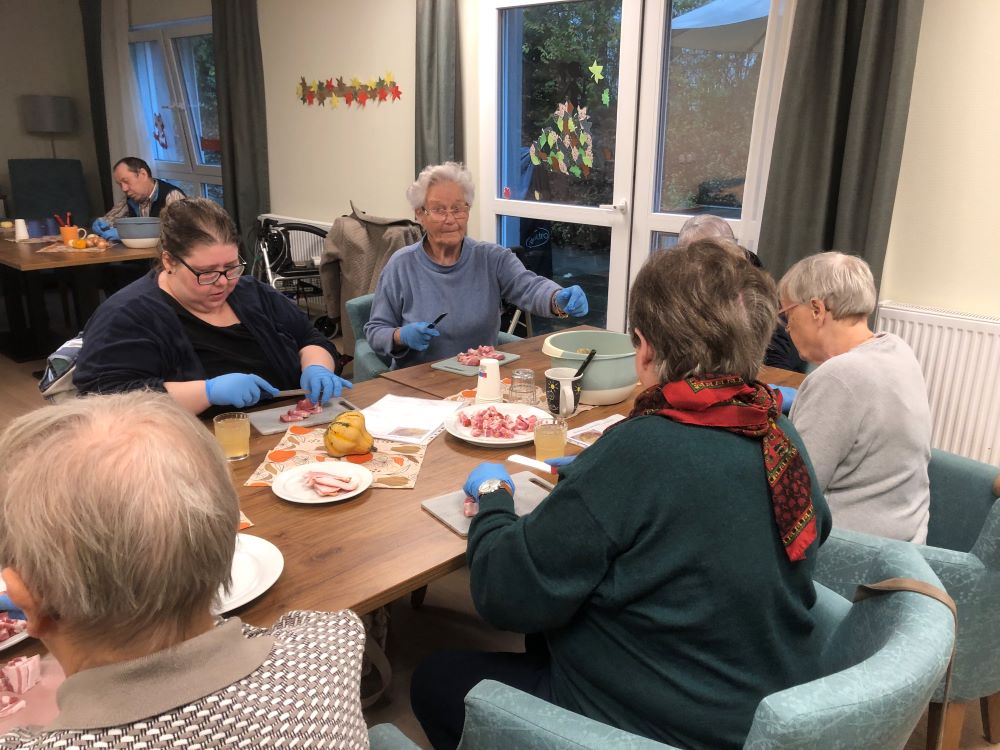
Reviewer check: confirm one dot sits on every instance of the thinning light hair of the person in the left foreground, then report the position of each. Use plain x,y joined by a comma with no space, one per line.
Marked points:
118,513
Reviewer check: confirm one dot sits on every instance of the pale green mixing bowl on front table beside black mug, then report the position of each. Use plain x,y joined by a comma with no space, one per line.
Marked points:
610,378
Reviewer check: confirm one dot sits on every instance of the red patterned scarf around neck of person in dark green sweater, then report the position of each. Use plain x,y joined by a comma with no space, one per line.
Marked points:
729,403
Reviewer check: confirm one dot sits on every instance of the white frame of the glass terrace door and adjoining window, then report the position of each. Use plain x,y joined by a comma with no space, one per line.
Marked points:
631,216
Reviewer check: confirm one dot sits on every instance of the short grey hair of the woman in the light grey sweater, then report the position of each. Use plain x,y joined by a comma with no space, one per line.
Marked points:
843,282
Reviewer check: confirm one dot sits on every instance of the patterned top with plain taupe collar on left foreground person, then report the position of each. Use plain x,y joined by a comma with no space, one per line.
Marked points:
296,684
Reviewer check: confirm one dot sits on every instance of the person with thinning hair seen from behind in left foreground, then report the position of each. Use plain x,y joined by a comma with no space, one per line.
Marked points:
117,528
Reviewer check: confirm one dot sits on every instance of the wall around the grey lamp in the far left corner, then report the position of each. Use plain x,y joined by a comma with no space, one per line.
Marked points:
42,53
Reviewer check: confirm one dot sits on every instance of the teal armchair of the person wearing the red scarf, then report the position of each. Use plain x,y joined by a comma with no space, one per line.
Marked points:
882,659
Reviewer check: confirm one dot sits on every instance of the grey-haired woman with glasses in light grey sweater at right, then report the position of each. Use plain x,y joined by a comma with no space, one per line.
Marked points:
863,413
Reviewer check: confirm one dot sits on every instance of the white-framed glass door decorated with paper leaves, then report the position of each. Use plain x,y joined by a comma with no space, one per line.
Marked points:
558,171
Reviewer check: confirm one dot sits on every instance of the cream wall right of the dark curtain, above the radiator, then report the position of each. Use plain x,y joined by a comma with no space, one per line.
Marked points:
944,245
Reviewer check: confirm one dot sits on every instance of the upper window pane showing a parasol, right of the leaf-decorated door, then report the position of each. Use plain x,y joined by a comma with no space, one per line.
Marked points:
710,75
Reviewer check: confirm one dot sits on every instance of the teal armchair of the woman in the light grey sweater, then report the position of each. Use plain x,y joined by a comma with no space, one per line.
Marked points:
963,549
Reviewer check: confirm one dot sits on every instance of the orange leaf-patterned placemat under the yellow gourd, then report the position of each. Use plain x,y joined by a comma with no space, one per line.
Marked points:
394,465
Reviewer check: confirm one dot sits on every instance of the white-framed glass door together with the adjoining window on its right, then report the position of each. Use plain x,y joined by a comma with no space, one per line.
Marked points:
614,121
